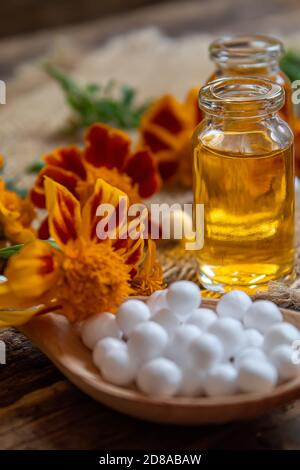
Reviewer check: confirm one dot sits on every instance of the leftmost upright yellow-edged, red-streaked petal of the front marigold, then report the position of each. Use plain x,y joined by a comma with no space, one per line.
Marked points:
64,214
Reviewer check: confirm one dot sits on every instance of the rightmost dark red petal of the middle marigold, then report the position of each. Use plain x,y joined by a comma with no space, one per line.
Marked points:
142,169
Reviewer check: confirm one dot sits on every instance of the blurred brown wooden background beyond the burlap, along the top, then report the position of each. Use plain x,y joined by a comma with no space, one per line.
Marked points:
27,27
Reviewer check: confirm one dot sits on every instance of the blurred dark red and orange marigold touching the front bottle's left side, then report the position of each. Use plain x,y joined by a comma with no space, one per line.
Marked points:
167,128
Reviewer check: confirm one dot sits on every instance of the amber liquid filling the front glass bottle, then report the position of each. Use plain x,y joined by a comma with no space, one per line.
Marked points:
248,214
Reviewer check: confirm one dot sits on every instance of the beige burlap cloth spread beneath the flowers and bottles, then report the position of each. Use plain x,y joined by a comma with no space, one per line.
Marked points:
32,121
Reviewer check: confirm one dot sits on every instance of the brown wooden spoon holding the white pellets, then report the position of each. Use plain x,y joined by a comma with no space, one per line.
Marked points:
61,342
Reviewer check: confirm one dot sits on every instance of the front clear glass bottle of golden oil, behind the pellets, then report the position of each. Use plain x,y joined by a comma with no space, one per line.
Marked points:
244,176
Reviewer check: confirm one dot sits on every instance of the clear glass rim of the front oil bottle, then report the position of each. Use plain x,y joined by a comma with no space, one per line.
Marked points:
241,97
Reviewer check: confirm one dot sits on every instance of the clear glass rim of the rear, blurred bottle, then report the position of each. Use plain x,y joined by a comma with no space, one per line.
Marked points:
246,50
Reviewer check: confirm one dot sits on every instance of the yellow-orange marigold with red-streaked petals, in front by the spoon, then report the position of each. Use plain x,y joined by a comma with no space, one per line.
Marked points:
85,275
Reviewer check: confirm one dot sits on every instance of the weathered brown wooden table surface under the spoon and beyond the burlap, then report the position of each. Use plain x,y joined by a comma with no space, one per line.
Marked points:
40,409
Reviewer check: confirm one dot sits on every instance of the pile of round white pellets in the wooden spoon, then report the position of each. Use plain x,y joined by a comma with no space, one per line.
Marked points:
171,346
